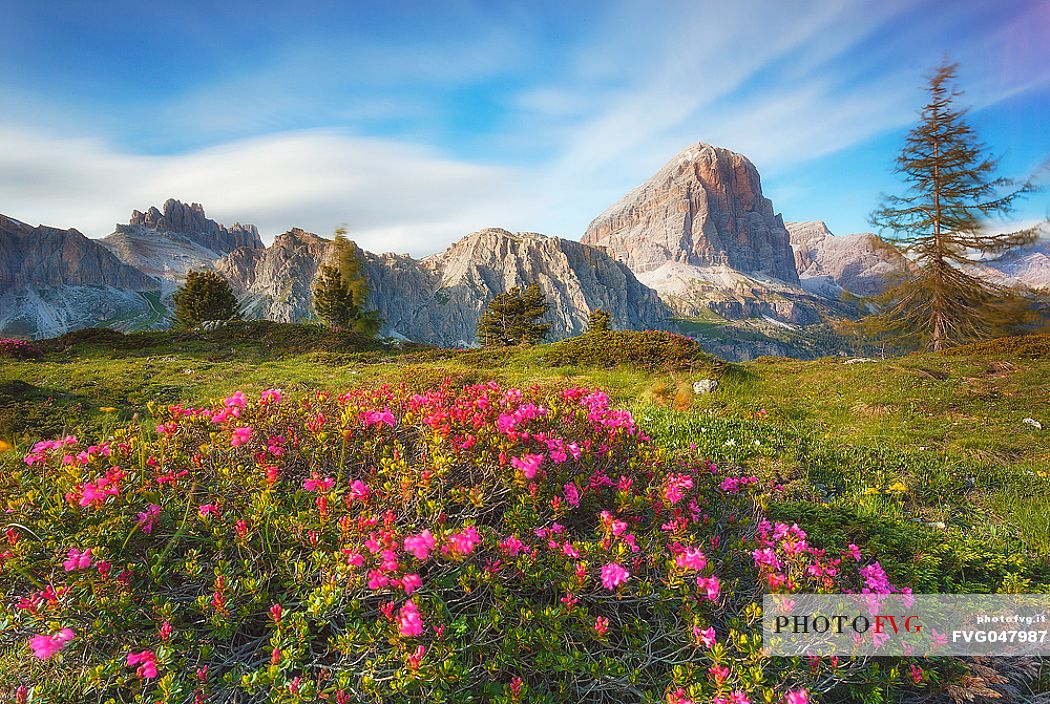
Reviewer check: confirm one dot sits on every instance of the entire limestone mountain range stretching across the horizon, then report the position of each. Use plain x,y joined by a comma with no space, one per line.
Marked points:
697,240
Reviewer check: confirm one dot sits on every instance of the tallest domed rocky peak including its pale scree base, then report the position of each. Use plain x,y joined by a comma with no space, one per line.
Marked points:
702,235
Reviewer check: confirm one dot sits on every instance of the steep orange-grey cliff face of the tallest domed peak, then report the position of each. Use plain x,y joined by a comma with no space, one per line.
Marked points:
704,209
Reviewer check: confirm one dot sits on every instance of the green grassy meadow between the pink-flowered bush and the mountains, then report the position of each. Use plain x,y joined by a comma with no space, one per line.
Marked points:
970,510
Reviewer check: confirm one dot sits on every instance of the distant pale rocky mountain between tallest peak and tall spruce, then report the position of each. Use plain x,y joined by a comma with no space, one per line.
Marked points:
829,265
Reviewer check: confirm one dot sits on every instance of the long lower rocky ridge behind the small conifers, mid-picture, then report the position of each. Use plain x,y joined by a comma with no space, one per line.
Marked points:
438,299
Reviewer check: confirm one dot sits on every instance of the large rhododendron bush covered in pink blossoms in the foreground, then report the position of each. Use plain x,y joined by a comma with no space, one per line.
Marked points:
474,544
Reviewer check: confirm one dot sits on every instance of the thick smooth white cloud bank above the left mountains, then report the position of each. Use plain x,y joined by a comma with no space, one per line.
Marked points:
395,197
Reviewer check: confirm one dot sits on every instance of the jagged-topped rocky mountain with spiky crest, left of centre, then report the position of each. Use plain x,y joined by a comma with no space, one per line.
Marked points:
169,243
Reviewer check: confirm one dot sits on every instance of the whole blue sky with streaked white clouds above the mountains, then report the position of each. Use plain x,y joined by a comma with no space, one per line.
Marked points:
418,122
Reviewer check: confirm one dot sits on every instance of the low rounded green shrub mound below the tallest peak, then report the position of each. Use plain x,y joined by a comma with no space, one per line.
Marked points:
654,350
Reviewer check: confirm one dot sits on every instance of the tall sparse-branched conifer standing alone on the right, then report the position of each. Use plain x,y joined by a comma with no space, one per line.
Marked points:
939,226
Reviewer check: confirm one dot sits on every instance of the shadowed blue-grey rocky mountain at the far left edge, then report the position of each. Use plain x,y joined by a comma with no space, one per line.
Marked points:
53,280
